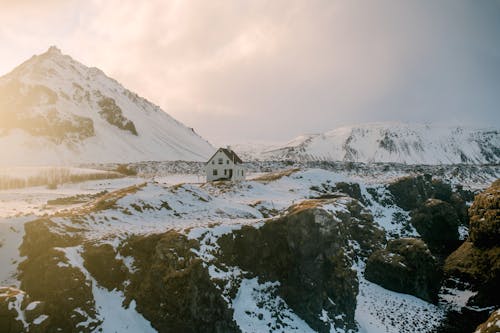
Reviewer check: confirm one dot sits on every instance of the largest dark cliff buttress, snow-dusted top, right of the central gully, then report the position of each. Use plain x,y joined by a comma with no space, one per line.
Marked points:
308,252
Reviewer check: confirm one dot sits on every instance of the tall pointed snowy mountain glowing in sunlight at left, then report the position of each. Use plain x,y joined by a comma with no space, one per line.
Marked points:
55,110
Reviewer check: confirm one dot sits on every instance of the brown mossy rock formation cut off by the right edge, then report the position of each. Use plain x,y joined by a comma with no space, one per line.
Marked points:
476,264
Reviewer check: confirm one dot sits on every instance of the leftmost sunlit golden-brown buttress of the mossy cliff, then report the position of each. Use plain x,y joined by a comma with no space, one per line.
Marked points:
46,276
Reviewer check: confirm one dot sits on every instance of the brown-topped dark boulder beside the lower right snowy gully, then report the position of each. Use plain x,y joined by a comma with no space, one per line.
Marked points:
406,265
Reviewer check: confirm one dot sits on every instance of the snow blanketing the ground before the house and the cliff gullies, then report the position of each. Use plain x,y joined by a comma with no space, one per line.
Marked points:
207,211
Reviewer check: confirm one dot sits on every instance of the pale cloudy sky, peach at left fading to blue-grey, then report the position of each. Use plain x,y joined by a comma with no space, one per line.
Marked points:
257,70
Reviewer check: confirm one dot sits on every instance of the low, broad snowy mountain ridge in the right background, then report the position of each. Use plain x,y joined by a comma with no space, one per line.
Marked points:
394,142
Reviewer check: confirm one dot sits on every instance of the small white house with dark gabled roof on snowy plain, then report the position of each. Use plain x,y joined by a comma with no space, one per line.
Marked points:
225,165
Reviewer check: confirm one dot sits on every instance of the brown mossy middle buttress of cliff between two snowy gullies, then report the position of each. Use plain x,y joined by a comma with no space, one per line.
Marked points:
173,289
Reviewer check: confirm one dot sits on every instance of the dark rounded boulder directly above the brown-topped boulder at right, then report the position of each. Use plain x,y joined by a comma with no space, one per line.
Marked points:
437,222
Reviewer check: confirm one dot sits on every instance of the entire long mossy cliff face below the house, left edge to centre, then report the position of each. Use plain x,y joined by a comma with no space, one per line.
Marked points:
307,254
